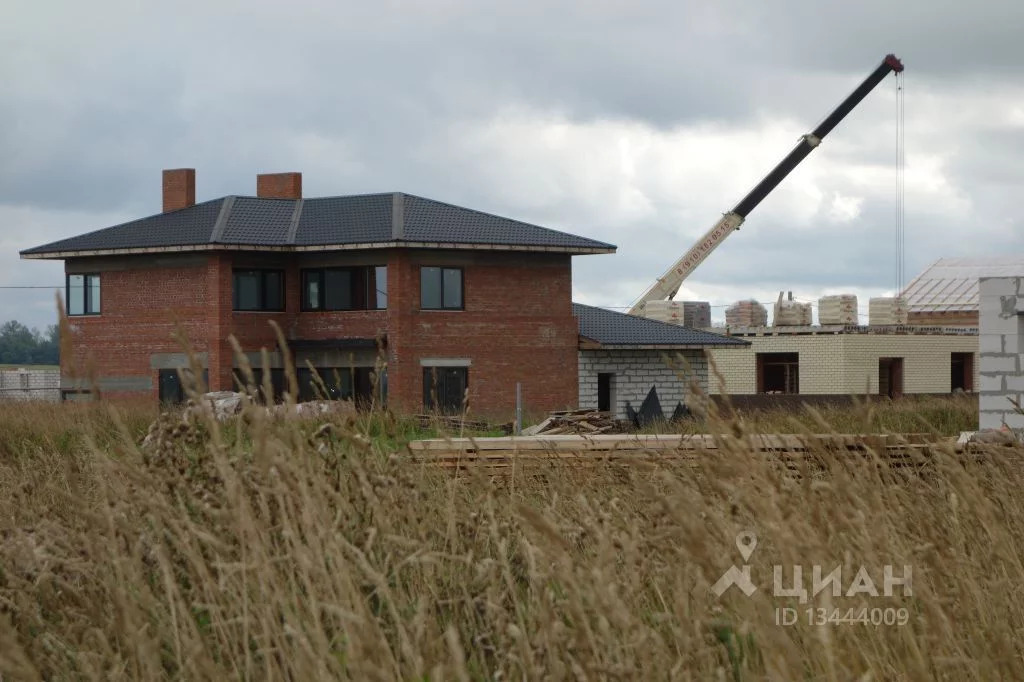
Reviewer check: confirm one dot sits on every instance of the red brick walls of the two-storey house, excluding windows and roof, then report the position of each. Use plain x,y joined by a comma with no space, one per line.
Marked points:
517,326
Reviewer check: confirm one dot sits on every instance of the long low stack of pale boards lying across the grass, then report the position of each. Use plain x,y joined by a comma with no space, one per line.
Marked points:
790,451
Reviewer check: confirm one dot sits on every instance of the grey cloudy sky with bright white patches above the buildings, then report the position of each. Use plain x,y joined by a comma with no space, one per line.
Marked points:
638,123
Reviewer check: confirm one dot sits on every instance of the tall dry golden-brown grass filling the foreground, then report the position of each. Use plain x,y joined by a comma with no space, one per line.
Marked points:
272,550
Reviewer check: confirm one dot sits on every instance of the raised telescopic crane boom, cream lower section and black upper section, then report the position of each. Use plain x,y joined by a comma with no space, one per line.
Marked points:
667,285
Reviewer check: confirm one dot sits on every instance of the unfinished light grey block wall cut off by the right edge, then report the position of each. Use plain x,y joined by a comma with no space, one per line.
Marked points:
1002,366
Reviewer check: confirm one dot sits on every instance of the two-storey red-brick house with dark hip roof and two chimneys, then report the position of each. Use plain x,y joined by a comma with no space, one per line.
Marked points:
385,295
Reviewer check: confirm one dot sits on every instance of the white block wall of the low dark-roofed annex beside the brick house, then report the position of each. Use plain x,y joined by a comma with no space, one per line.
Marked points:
636,371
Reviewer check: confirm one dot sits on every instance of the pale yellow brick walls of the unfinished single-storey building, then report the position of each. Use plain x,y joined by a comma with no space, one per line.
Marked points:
848,364
